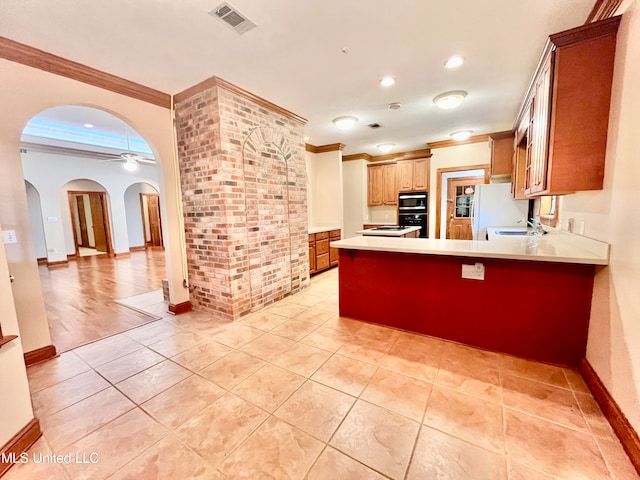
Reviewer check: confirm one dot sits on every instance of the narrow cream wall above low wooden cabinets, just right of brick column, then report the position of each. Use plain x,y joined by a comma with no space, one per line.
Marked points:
324,172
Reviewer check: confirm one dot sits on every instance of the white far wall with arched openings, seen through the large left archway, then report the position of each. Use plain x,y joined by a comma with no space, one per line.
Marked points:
54,175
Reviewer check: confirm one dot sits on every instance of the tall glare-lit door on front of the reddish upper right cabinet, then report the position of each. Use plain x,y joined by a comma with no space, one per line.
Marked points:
540,130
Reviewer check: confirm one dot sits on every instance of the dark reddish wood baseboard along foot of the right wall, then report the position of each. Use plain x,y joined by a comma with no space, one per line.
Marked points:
621,426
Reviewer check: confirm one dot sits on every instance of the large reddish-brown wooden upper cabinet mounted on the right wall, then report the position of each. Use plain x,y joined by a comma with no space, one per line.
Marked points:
561,128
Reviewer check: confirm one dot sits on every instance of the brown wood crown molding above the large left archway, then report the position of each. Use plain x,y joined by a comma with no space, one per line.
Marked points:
33,57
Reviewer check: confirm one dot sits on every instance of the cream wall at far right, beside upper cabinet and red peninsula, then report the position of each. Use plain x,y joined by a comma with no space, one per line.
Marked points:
613,347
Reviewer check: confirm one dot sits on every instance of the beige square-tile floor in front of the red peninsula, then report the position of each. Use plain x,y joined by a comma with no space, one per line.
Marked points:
295,392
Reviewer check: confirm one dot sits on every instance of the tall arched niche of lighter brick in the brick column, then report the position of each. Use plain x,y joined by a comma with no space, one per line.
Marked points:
268,172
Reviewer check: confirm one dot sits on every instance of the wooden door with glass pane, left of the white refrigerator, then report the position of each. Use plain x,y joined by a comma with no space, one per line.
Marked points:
459,202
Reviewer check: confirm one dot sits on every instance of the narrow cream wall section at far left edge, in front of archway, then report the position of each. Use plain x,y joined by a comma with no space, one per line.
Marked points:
16,409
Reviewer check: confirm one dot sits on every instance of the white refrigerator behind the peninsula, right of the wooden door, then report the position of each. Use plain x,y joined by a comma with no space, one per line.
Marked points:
494,207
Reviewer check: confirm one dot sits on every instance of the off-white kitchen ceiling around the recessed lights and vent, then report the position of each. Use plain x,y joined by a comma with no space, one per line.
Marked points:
294,57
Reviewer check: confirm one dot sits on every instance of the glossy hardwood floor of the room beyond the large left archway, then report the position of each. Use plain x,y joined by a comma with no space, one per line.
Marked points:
80,299
